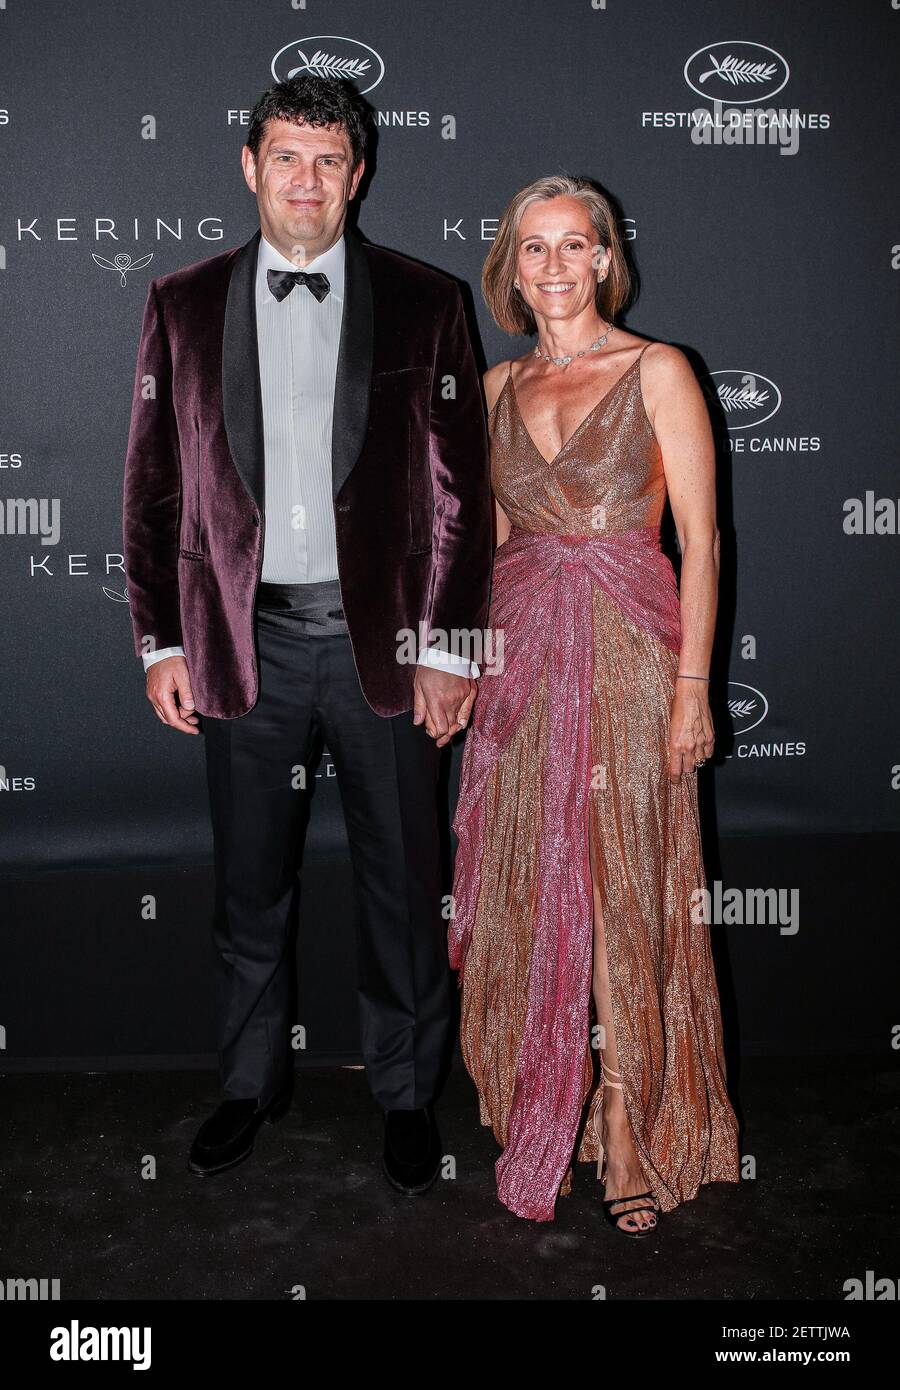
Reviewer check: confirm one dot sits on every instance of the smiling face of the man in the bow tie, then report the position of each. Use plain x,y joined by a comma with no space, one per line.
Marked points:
304,180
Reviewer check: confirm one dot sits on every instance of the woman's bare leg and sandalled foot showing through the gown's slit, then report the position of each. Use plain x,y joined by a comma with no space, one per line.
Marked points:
624,1168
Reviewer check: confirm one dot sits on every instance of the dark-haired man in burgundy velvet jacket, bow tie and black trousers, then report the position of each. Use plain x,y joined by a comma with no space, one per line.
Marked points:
307,484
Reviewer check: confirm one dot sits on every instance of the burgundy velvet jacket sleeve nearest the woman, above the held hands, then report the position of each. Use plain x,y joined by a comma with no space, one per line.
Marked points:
463,529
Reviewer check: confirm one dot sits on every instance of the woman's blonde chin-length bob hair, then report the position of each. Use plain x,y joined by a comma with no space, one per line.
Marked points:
507,306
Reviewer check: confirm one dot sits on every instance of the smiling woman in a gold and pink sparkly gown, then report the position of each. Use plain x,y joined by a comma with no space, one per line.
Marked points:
578,829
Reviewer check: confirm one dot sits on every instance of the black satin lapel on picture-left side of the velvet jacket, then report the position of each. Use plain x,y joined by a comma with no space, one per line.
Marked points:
243,401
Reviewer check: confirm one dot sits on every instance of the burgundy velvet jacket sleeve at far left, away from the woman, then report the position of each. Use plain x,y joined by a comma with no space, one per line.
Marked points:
152,494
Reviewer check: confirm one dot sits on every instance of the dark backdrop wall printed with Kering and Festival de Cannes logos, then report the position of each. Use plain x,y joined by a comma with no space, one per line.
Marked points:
750,149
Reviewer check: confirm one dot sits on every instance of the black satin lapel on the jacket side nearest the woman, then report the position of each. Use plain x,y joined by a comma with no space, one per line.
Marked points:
355,357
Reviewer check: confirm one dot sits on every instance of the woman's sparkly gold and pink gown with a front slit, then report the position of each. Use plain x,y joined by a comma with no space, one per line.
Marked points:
565,762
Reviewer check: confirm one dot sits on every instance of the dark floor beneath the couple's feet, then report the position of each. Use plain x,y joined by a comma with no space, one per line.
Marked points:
311,1207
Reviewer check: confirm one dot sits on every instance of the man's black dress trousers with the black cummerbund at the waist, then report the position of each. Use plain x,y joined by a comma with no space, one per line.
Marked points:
387,772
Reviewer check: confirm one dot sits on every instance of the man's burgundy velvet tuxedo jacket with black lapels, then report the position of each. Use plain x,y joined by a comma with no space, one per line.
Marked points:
411,479
